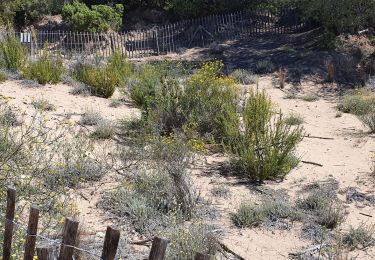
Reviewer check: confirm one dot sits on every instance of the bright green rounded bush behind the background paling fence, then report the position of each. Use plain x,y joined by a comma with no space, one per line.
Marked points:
98,18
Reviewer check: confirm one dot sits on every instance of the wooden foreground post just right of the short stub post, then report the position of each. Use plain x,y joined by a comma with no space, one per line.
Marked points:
69,239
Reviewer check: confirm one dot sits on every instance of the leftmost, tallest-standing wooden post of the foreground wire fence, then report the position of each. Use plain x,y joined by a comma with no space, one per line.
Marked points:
9,218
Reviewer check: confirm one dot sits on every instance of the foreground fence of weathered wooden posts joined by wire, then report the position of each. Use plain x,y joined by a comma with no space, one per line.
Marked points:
67,244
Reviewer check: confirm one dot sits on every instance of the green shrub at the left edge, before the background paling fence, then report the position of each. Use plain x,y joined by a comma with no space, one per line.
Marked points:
12,53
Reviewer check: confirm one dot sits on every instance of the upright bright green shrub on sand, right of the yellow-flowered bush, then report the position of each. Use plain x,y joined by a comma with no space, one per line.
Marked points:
264,149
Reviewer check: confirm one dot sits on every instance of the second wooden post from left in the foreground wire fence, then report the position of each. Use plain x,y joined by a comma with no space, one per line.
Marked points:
31,233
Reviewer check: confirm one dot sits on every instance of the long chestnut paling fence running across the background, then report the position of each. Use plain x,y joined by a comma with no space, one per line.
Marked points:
167,38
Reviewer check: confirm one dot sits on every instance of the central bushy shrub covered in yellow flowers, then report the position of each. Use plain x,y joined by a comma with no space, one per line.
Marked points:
210,102
